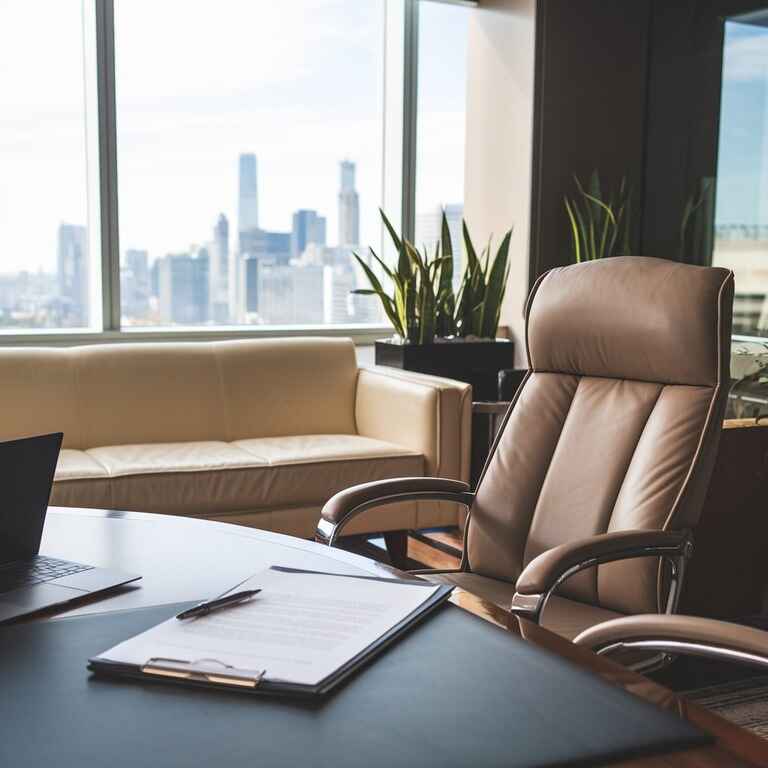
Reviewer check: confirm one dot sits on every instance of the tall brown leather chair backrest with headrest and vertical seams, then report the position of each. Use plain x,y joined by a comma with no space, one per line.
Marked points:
616,425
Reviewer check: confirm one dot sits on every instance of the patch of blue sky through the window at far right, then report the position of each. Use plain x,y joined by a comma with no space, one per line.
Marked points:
742,186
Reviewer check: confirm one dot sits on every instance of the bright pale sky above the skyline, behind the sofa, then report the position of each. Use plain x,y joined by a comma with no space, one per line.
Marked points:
299,83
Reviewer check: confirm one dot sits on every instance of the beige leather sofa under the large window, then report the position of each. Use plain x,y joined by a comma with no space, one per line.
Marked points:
258,432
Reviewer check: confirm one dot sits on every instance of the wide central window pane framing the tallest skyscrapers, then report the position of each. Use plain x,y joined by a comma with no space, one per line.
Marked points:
249,139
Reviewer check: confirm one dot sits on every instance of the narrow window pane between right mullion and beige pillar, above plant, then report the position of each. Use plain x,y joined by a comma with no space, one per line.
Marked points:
441,119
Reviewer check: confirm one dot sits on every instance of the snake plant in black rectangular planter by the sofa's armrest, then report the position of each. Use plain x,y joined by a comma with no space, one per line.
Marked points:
436,331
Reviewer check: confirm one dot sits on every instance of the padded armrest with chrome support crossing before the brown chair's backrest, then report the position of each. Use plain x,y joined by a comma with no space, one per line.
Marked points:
545,573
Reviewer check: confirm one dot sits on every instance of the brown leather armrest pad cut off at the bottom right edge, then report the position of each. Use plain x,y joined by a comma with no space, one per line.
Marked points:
685,629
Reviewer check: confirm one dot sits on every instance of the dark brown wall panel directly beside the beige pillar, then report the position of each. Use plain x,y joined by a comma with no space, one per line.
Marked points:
591,74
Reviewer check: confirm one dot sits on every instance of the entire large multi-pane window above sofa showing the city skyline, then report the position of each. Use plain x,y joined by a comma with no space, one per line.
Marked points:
168,165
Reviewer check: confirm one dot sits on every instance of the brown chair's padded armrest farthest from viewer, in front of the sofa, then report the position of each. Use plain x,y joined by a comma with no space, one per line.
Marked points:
345,505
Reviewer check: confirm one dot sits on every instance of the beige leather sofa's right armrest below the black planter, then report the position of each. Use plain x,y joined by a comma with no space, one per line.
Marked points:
426,414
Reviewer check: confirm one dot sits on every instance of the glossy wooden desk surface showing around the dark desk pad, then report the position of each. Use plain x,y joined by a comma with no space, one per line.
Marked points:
183,559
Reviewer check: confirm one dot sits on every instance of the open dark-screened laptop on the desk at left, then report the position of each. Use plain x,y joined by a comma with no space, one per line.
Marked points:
29,581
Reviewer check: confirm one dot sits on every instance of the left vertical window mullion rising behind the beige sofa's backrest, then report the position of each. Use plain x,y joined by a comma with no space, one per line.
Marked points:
110,248
